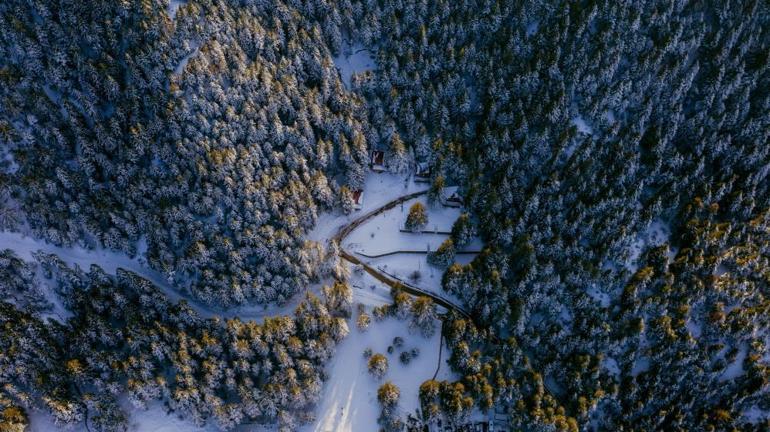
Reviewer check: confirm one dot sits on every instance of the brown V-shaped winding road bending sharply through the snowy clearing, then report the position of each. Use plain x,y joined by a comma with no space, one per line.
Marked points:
383,277
